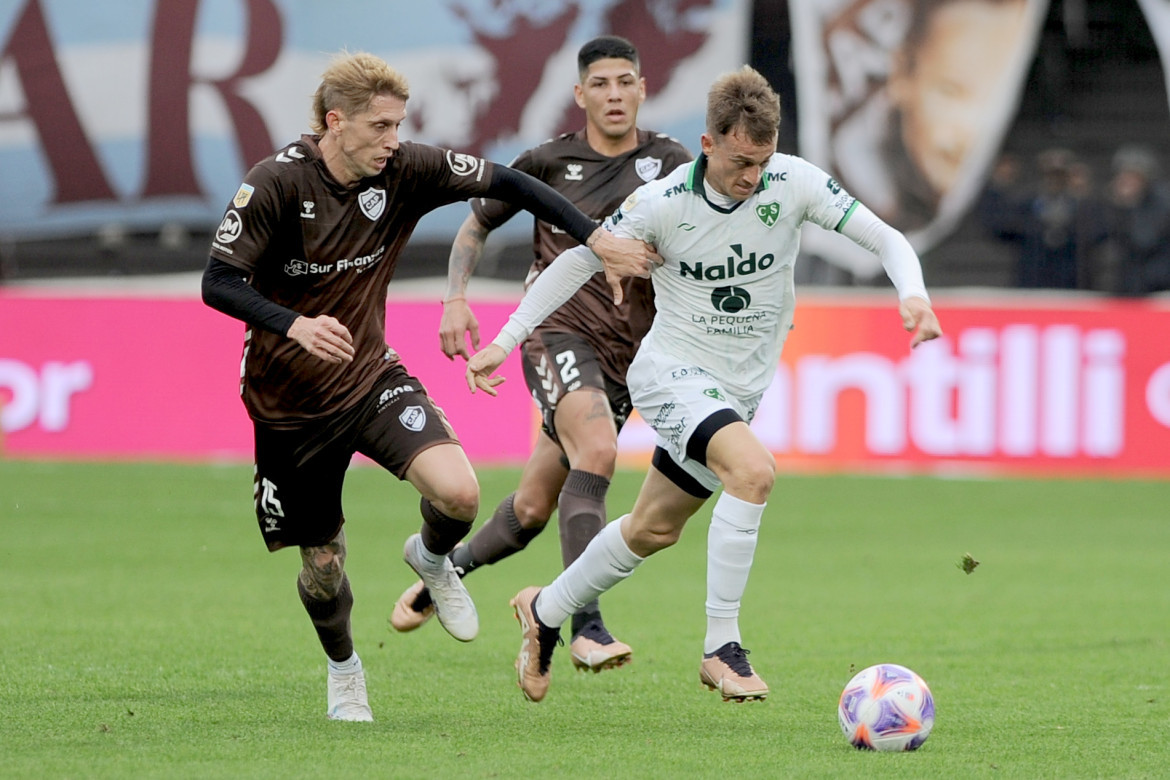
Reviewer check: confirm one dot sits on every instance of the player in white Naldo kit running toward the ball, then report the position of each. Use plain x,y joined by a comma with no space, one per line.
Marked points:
728,229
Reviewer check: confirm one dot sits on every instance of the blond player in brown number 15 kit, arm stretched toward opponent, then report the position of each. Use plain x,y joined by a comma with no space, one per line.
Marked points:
304,257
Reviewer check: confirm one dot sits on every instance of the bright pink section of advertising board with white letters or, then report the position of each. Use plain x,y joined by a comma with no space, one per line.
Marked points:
159,378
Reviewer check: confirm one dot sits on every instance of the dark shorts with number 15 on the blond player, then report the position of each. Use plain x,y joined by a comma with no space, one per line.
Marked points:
300,472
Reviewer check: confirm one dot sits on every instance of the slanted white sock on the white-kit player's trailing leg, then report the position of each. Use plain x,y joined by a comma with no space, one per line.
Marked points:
607,562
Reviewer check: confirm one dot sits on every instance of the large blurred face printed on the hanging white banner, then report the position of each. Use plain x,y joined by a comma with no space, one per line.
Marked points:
945,102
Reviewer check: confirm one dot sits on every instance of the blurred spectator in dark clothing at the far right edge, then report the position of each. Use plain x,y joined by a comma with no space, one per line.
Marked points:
1138,212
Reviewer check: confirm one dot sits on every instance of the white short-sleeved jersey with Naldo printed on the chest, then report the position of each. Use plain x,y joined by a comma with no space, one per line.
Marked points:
725,295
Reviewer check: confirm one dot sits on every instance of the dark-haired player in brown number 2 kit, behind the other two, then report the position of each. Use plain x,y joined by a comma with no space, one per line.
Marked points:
575,364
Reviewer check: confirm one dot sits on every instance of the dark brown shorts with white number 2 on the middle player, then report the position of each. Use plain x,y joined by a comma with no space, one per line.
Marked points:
558,363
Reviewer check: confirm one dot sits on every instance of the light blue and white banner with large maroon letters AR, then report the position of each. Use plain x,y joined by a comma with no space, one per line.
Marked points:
132,115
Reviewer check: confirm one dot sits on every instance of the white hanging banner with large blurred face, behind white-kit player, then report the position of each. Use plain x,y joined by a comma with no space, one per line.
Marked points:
907,103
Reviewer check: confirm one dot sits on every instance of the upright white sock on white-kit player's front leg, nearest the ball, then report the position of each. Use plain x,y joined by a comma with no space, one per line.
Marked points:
731,549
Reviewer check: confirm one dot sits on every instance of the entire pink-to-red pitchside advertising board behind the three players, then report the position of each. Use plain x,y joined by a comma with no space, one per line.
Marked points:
1018,385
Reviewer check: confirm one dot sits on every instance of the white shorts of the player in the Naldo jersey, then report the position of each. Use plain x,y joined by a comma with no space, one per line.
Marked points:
675,397
